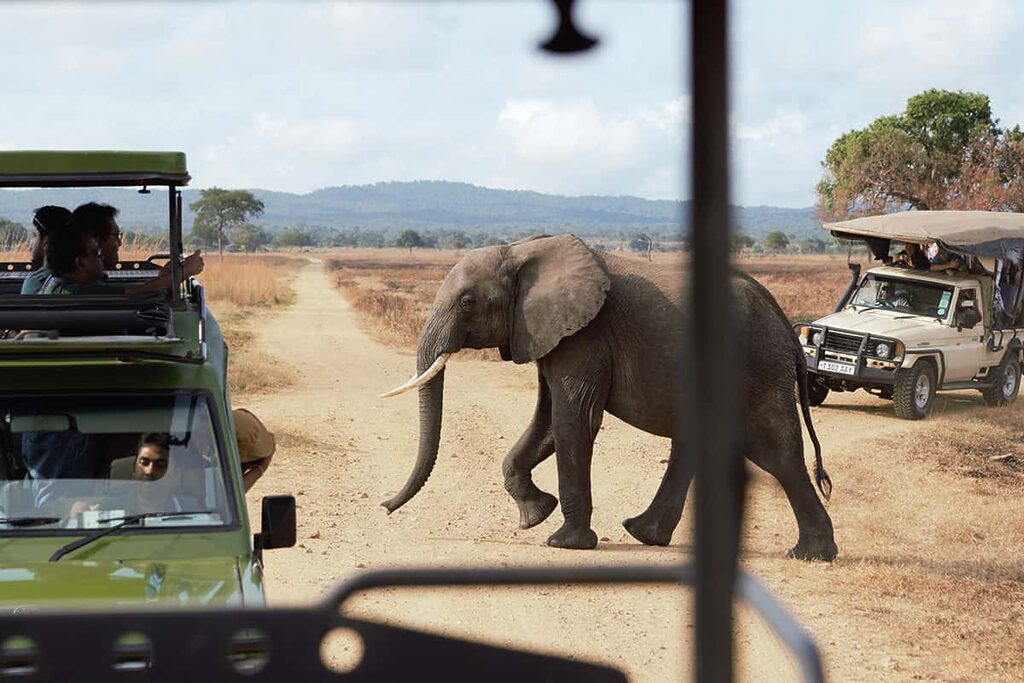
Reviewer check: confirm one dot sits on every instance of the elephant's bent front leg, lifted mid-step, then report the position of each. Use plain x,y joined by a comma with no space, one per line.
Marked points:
536,445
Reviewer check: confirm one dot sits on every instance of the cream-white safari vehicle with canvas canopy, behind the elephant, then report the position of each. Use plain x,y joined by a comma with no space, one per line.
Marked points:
905,333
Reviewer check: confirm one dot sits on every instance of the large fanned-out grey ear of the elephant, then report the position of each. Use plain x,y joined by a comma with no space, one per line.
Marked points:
561,287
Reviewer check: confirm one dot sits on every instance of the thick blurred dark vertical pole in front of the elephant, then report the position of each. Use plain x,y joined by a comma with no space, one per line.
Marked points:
710,389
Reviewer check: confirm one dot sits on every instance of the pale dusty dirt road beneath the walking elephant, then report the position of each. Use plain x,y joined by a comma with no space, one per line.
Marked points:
342,451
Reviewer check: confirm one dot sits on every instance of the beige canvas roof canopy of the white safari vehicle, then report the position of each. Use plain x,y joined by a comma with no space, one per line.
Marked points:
984,234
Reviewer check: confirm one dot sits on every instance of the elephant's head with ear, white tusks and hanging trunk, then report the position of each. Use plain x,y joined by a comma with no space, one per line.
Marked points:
523,300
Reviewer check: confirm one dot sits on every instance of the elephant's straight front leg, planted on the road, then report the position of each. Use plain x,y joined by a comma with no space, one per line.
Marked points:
575,447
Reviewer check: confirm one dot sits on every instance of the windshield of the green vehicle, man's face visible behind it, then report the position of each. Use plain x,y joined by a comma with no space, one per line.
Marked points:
83,461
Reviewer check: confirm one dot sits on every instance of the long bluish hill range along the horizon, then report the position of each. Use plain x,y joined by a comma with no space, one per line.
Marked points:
425,205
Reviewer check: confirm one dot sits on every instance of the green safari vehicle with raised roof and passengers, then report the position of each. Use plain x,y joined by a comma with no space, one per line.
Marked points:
78,397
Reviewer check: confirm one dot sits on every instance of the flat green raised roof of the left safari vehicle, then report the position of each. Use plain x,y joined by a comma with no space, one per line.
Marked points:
91,169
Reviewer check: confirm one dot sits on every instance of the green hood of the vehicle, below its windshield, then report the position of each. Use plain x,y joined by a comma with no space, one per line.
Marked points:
120,583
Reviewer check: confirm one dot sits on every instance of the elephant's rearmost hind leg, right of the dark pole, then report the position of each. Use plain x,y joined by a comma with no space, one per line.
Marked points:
778,448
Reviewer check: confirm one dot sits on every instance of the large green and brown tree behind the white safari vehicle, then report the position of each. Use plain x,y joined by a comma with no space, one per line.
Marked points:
946,151
